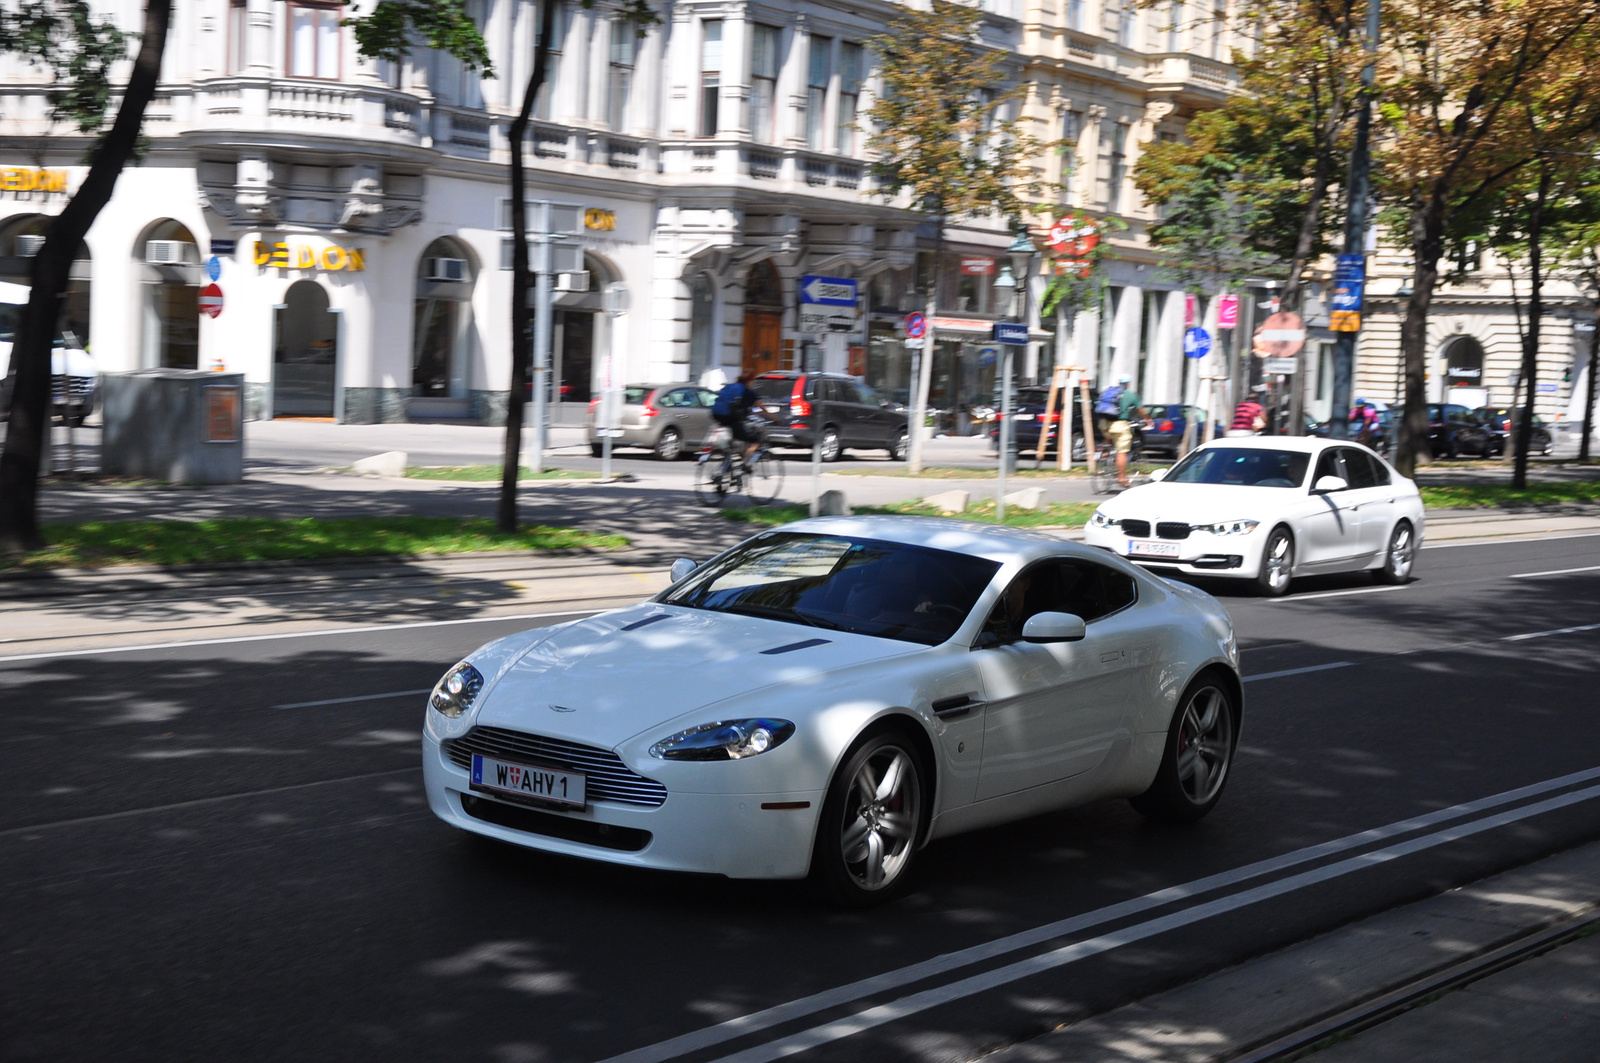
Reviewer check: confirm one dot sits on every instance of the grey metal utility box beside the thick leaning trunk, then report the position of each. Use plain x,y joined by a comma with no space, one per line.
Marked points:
182,427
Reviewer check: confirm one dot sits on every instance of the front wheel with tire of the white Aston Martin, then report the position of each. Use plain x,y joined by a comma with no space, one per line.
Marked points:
873,820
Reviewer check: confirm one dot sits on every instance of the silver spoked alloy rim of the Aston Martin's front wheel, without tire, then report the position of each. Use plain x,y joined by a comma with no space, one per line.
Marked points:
882,812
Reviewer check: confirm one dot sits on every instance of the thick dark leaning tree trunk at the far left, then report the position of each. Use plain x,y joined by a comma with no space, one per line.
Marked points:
26,435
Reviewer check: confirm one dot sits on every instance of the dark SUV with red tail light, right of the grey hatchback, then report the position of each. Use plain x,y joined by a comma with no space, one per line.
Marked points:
847,412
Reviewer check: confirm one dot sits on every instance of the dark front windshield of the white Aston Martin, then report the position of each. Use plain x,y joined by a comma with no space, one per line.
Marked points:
841,584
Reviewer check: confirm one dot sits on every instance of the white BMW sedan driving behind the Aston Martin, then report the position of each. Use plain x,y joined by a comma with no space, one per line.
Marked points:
1270,510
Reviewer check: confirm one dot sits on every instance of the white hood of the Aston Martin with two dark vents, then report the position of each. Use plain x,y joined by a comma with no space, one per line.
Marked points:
601,683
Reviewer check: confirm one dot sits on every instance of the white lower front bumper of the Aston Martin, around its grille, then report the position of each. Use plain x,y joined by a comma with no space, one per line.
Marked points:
729,835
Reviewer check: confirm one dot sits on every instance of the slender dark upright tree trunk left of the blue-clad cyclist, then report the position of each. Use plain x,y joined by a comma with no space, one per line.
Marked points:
521,342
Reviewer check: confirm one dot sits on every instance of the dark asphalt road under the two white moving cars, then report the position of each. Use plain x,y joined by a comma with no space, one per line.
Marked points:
223,852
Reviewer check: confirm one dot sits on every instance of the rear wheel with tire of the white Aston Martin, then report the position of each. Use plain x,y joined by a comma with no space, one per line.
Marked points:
1201,747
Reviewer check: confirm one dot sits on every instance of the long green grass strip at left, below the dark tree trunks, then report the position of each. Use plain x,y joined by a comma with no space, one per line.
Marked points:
257,539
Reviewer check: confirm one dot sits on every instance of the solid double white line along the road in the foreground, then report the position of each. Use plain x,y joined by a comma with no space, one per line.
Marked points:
1002,947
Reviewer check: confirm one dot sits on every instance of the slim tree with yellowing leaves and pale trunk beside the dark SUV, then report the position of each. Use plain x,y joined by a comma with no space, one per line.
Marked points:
943,138
